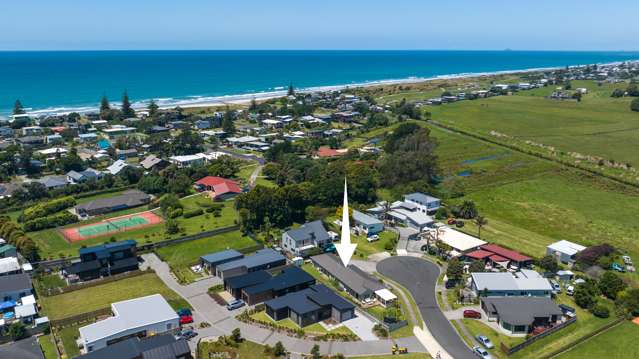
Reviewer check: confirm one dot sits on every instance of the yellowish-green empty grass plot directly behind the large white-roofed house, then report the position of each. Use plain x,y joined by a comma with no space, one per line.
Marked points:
101,296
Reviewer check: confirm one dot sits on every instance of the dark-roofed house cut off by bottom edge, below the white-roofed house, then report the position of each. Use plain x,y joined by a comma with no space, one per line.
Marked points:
162,346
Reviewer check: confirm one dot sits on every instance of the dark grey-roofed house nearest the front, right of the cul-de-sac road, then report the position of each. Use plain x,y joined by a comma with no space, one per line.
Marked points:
520,315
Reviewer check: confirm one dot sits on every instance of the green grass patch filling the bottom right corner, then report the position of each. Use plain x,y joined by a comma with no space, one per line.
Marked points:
616,343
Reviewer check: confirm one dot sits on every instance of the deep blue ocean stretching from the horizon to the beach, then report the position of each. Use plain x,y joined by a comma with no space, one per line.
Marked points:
52,81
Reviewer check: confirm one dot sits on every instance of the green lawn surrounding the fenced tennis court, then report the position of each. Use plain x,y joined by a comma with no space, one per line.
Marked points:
51,244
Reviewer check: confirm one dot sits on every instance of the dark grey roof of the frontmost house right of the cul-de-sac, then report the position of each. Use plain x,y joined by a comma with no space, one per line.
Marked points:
521,310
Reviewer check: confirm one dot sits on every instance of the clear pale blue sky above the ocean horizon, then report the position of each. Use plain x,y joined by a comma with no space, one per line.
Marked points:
326,24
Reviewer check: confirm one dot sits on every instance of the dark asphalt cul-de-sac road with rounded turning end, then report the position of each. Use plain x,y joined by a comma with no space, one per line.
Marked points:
420,277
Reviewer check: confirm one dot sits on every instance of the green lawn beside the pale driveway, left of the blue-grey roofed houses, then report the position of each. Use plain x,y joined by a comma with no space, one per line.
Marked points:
183,255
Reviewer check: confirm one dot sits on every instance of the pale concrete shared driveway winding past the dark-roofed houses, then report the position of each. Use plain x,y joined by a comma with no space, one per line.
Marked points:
223,322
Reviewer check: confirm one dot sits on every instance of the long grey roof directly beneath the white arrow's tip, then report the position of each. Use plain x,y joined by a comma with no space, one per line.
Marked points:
351,276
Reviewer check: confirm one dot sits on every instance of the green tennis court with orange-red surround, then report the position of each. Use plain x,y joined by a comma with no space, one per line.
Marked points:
110,226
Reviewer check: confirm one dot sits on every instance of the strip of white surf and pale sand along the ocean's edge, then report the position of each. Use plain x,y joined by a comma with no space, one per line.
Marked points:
241,99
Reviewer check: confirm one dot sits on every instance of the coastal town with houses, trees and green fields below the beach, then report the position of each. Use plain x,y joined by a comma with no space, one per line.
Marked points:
201,231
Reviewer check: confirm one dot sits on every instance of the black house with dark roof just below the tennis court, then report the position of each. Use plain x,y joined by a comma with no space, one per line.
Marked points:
104,260
